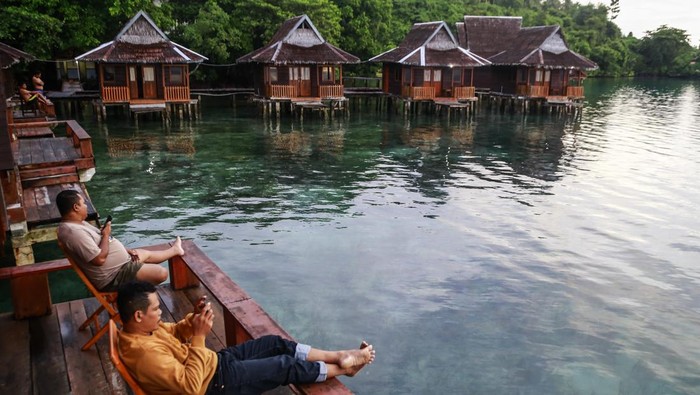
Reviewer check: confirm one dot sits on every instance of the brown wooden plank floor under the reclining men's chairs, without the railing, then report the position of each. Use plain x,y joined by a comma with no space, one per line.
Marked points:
42,355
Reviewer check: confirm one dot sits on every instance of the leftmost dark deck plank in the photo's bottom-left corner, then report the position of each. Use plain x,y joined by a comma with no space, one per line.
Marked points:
14,356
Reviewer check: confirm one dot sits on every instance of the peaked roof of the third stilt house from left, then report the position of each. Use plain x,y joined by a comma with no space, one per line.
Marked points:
430,44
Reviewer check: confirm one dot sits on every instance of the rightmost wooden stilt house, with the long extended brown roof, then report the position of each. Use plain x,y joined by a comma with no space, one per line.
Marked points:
533,62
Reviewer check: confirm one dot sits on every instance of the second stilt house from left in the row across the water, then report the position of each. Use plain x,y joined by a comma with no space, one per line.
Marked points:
298,63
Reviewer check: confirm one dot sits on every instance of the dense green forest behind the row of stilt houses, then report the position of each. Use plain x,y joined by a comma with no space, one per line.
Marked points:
224,30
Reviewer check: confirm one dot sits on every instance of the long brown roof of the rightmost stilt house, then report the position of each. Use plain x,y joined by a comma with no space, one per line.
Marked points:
503,41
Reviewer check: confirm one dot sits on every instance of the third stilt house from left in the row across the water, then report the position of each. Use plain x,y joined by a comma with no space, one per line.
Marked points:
429,64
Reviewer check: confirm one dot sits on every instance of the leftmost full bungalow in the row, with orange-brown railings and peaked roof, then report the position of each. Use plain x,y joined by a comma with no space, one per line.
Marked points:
142,69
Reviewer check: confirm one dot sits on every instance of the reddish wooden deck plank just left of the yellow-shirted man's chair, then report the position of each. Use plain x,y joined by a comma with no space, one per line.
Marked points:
79,364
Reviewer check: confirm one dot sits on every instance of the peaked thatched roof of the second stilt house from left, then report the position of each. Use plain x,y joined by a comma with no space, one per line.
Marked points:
298,42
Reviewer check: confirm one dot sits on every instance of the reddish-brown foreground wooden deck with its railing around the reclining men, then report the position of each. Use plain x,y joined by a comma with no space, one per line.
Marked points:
44,351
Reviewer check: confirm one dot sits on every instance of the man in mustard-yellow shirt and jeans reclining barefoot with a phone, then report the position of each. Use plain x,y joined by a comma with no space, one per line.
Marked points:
167,358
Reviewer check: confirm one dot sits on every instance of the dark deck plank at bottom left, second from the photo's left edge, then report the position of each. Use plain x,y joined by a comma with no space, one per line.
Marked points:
46,349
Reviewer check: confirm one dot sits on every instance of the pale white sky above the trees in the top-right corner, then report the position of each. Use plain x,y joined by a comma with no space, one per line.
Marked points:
639,16
